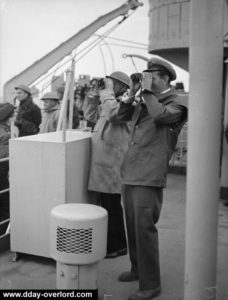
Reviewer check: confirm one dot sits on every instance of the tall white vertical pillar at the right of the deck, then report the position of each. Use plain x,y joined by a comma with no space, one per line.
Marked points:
204,128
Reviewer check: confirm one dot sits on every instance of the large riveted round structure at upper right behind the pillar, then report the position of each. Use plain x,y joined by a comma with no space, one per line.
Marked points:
169,30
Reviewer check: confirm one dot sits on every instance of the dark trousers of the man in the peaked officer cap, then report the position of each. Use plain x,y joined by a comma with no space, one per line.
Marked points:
142,205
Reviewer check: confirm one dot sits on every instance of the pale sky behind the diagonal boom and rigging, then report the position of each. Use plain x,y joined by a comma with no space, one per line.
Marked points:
29,29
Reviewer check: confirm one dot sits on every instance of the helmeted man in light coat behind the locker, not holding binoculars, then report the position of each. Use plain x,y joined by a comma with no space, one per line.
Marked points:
51,111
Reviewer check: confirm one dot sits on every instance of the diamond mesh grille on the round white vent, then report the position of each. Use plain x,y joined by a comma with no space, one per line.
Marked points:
77,241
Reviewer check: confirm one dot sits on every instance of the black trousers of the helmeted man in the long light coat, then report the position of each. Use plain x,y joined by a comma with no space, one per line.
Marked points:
116,239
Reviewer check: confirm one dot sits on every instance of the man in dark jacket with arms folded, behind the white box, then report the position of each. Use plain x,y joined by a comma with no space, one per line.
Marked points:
28,117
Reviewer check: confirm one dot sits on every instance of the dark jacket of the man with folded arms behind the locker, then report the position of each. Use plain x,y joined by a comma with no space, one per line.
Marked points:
28,118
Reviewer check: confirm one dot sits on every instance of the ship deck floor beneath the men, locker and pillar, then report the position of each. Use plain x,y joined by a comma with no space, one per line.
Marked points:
33,272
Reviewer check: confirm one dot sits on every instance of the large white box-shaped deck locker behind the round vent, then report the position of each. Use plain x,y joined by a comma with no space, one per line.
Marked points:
45,172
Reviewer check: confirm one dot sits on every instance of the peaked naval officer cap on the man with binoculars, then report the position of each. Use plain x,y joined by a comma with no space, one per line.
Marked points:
158,64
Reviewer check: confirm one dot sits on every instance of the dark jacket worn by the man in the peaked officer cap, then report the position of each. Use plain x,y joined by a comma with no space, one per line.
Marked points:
155,126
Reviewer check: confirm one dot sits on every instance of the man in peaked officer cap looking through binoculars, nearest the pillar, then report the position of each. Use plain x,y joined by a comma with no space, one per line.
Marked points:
155,124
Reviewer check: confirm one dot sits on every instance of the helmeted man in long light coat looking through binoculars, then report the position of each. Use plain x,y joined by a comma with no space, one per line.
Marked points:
109,143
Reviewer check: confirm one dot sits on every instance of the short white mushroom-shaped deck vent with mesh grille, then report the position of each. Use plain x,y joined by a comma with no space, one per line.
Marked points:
78,241
